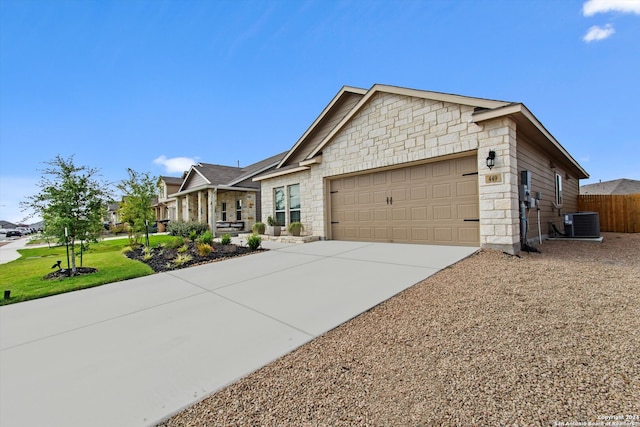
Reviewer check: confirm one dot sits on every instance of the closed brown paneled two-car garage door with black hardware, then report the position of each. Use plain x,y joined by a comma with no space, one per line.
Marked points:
435,203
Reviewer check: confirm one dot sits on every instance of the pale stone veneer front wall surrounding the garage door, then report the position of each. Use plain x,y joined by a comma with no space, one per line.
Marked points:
394,129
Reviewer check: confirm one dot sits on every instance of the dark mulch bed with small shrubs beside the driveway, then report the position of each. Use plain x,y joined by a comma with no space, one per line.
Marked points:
163,257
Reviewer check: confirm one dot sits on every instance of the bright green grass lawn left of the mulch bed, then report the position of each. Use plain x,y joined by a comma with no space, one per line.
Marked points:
24,276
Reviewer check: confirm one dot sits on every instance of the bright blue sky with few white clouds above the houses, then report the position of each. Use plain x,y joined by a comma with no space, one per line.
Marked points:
153,85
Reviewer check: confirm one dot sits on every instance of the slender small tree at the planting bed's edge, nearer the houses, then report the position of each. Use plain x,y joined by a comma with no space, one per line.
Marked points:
137,202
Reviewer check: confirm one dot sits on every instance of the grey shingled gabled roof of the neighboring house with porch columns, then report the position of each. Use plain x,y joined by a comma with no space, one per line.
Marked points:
210,175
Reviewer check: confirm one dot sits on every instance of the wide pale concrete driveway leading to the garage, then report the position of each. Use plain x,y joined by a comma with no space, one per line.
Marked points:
134,352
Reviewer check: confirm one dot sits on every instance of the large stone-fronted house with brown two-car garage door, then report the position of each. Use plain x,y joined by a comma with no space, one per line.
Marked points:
392,164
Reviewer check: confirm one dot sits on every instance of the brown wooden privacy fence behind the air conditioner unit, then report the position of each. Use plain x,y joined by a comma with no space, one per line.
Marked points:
618,213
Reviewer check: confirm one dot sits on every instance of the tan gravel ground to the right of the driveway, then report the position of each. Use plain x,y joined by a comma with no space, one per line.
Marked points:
549,338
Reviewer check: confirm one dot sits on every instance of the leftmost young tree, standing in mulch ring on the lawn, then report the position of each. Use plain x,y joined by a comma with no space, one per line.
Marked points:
71,201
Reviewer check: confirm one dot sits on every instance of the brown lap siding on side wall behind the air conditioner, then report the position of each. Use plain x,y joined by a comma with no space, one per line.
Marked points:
543,172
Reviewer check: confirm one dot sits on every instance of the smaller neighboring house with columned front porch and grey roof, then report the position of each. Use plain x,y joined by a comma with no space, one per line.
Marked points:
222,195
